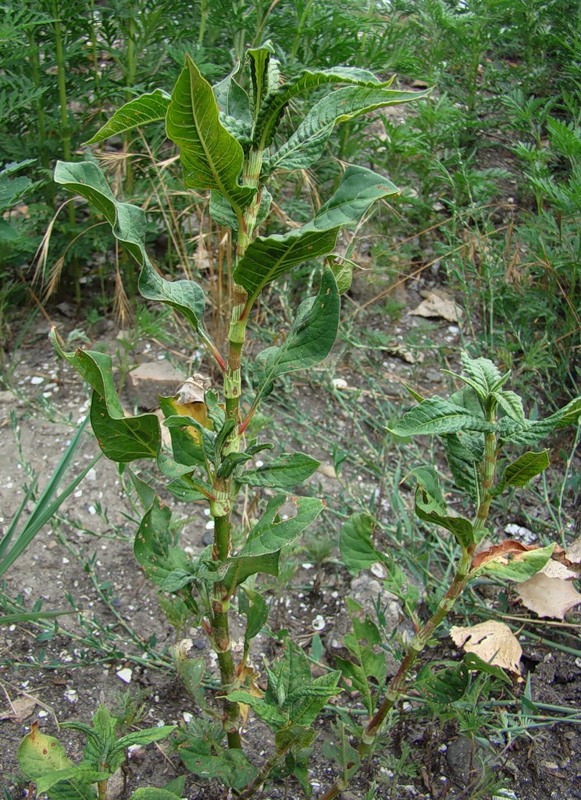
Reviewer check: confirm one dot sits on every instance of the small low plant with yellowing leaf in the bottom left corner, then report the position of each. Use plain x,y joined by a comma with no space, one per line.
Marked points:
43,760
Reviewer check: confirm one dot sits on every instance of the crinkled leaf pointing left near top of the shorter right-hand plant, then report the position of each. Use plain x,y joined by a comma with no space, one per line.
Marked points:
438,416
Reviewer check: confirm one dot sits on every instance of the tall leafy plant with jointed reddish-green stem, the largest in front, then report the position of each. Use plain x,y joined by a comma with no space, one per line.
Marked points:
230,145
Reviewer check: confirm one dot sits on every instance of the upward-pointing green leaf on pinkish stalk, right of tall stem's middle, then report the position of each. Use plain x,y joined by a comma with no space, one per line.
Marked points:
310,339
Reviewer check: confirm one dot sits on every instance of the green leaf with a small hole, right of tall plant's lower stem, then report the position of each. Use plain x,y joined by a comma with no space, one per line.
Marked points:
271,533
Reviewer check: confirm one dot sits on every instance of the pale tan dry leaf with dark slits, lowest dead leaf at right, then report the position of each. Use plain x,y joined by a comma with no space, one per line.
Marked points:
493,642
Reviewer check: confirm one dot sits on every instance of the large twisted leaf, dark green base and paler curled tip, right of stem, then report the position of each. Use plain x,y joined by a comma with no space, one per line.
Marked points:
268,258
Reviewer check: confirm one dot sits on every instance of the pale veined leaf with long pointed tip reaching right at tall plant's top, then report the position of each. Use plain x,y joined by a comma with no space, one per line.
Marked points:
307,143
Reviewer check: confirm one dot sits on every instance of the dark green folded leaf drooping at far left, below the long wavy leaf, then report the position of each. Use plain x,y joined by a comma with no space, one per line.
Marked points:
121,438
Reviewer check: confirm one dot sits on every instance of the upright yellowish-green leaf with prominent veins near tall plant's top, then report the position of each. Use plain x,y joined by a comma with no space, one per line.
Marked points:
211,157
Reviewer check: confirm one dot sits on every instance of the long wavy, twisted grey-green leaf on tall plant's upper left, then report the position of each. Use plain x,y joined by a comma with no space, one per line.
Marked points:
129,226
